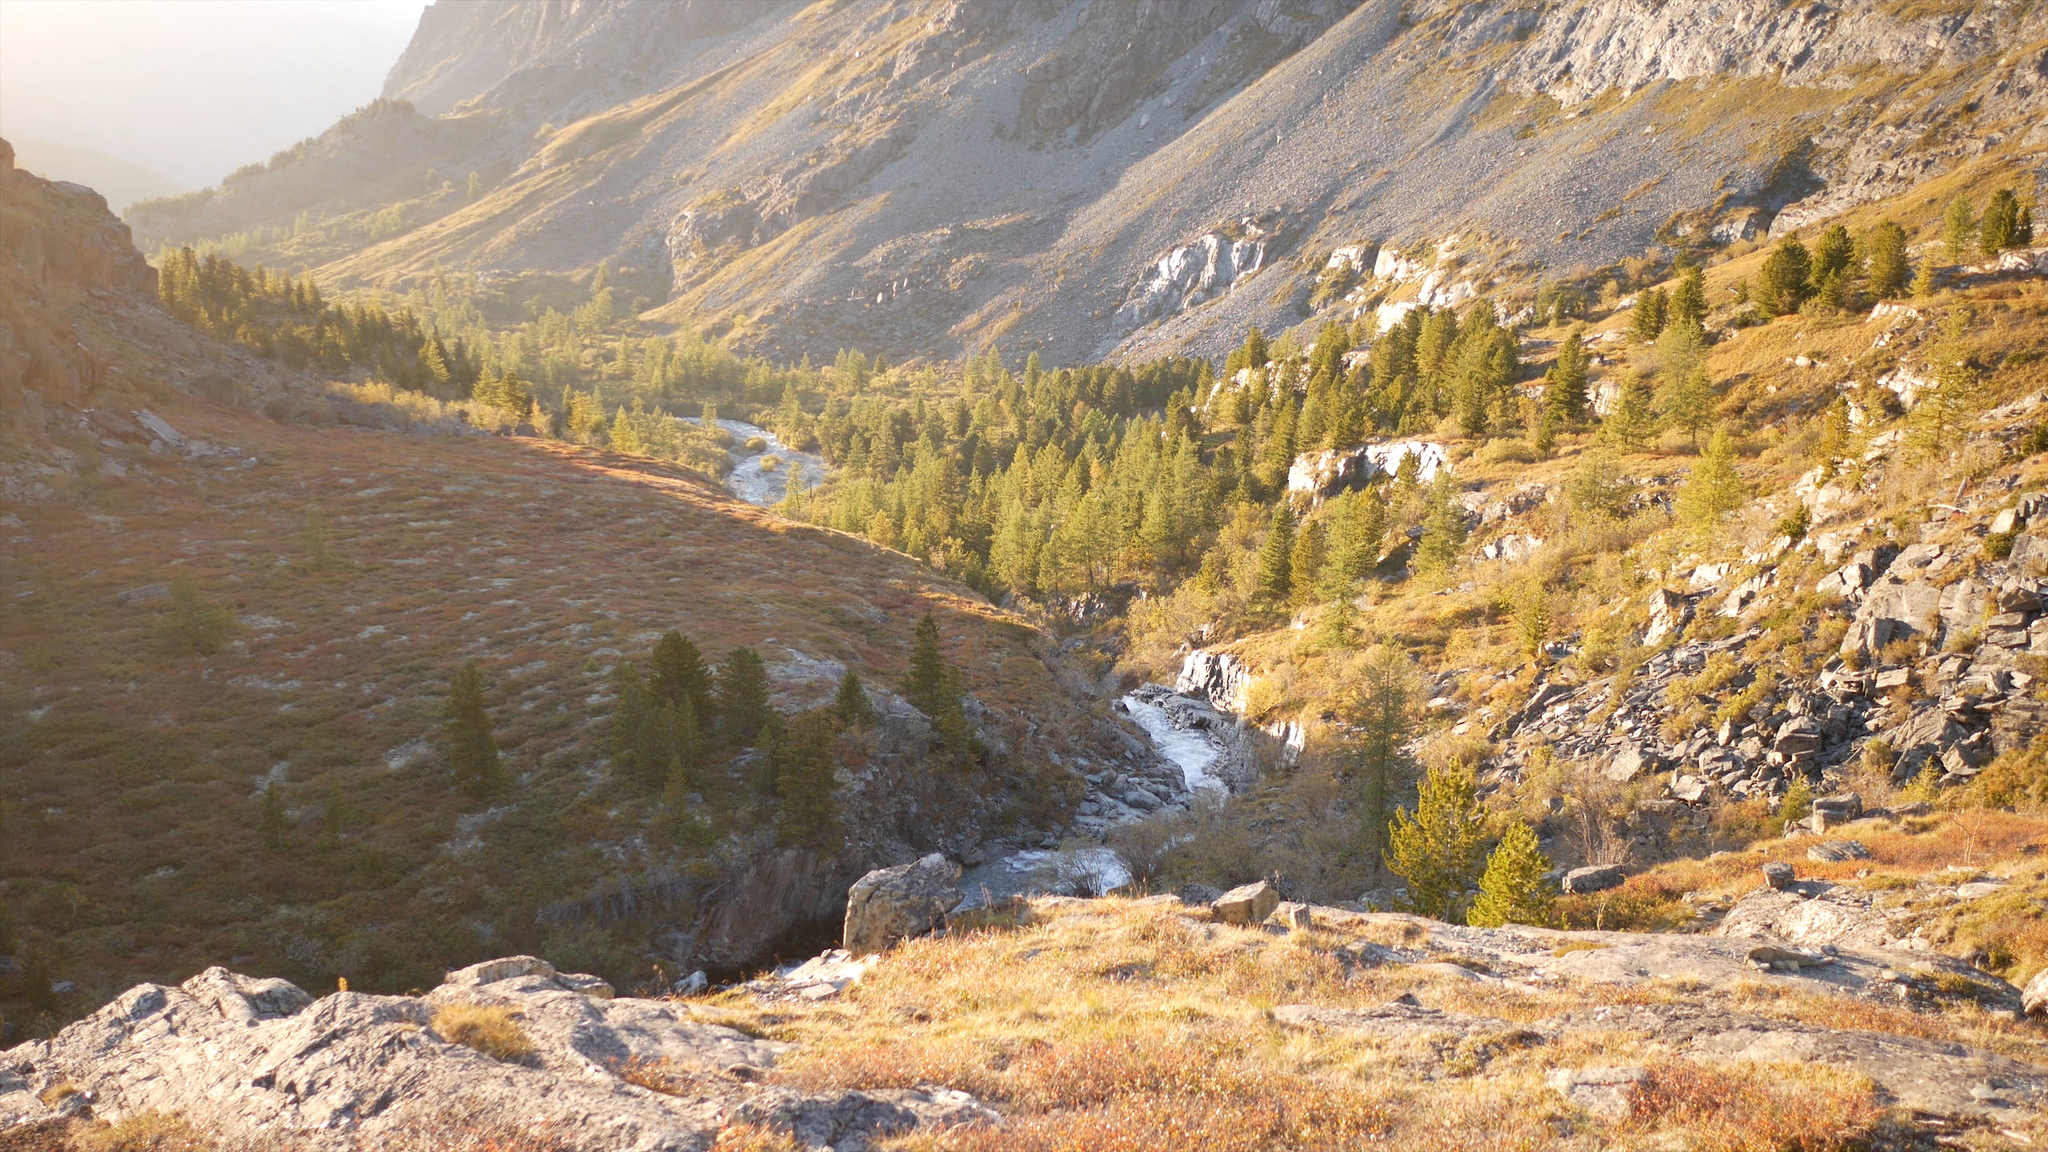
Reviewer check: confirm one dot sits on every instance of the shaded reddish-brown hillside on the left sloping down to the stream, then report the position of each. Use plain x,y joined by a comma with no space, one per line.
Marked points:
237,602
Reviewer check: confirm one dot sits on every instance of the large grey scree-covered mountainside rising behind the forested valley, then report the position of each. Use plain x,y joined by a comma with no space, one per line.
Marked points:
921,177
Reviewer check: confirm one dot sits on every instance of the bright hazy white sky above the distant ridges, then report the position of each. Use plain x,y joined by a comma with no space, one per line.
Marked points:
194,89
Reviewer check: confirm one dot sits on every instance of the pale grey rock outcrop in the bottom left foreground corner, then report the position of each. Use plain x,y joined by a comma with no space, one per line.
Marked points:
263,1059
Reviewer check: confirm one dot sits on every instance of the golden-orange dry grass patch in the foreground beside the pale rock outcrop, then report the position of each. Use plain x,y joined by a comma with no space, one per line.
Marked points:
1111,1026
